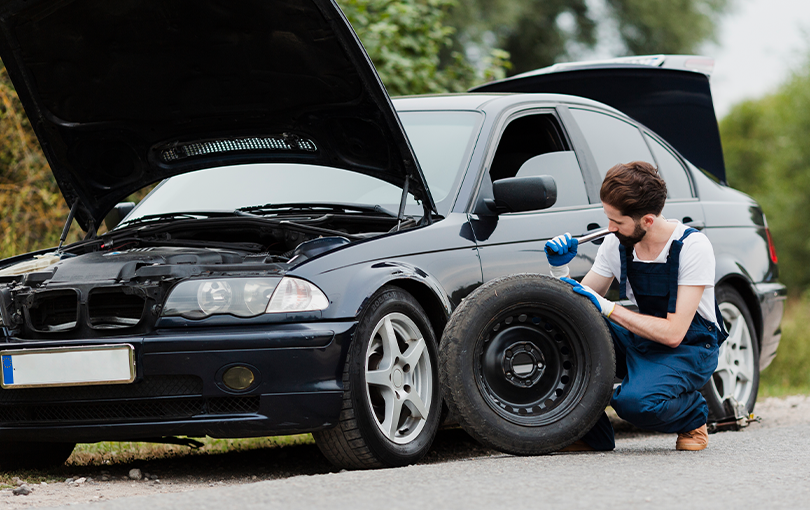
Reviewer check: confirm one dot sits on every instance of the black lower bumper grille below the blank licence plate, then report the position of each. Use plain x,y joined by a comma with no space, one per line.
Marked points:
154,398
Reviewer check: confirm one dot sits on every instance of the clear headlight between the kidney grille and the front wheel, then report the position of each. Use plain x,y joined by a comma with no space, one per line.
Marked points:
243,297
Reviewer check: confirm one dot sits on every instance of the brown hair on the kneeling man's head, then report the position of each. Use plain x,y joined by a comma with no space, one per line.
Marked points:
635,189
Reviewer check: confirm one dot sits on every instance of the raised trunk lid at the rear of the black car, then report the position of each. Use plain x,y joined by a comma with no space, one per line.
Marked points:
675,103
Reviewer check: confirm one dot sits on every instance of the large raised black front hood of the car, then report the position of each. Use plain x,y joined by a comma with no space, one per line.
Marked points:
124,93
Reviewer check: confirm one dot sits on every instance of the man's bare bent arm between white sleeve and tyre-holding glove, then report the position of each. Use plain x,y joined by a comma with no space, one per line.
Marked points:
669,331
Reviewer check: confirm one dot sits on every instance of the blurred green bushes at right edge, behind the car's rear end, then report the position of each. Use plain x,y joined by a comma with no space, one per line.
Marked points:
767,156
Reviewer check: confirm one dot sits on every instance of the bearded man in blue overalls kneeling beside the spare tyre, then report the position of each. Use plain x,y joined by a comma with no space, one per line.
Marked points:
667,351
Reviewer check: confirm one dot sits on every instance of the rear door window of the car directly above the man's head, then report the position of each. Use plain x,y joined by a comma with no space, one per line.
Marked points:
611,139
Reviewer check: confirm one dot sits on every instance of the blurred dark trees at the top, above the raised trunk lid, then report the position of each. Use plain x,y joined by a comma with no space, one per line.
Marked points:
538,33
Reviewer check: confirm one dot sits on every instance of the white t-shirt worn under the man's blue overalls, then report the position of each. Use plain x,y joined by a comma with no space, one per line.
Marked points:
696,265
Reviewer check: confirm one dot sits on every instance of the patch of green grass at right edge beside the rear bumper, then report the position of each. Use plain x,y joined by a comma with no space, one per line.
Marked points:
789,373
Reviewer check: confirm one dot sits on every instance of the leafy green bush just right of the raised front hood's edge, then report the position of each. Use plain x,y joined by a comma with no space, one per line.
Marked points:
405,38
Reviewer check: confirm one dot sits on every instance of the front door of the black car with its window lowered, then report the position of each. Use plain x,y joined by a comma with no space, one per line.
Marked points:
536,142
